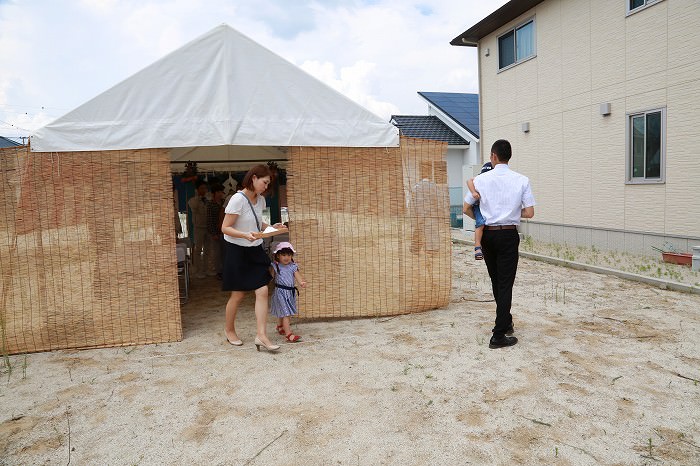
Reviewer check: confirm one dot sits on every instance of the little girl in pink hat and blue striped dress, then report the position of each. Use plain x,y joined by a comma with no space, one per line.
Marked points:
284,300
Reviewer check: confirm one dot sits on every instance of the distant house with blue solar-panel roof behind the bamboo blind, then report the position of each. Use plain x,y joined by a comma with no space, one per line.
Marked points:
453,118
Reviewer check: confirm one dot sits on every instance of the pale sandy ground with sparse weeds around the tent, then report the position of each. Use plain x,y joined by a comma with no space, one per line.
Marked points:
601,375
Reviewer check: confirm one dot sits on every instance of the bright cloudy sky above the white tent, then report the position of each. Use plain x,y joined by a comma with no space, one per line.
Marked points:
55,56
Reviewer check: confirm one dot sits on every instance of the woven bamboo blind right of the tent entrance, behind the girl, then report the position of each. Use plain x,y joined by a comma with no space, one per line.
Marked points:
371,228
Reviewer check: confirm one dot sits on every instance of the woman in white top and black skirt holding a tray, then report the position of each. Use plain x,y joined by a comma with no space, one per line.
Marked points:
246,266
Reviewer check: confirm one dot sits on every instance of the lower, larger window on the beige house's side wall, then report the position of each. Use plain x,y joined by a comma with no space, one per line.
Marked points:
646,142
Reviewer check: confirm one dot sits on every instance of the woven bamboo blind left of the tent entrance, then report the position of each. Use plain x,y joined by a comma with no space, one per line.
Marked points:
87,250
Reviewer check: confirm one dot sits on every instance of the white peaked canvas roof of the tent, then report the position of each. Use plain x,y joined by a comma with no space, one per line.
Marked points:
217,97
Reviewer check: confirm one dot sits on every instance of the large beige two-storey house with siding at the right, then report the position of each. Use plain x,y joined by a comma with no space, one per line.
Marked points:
599,99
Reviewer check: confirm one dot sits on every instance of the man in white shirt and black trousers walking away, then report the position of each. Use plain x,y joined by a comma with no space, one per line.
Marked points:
505,198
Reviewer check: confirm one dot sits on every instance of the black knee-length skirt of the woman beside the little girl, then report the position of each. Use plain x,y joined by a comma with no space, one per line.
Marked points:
245,268
